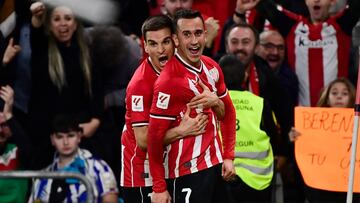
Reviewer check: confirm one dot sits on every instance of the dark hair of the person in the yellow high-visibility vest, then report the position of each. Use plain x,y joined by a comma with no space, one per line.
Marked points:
233,70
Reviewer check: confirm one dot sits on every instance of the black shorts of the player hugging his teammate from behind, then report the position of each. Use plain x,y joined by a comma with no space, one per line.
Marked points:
137,194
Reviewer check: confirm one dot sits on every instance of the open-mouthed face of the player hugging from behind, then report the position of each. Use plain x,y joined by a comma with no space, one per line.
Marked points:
160,46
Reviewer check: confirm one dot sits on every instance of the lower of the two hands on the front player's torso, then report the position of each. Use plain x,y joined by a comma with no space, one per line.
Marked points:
192,126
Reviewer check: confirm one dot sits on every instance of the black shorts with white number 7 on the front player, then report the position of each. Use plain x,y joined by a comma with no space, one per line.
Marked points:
196,187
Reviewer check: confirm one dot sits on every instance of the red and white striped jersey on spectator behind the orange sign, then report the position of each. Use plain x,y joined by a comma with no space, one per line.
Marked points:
319,54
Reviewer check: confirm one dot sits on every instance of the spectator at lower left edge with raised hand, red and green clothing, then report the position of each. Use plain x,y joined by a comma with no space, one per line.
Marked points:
15,150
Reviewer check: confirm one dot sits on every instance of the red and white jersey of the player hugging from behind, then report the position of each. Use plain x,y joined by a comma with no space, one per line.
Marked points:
134,163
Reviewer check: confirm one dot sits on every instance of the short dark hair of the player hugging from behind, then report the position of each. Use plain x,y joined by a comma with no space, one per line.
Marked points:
157,22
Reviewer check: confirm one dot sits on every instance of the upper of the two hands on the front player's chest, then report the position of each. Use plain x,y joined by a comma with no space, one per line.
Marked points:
206,99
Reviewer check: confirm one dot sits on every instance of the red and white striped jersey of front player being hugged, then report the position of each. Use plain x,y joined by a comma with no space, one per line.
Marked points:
175,87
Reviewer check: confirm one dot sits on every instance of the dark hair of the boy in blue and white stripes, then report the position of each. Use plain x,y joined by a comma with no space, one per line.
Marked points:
65,123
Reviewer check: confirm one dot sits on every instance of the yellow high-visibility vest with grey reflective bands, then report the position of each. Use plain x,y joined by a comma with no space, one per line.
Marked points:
254,160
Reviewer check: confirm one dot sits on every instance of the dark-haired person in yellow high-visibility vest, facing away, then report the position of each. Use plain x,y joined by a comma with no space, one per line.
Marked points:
255,130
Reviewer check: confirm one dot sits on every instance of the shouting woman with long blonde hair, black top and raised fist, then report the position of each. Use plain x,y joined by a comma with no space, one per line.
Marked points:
63,80
